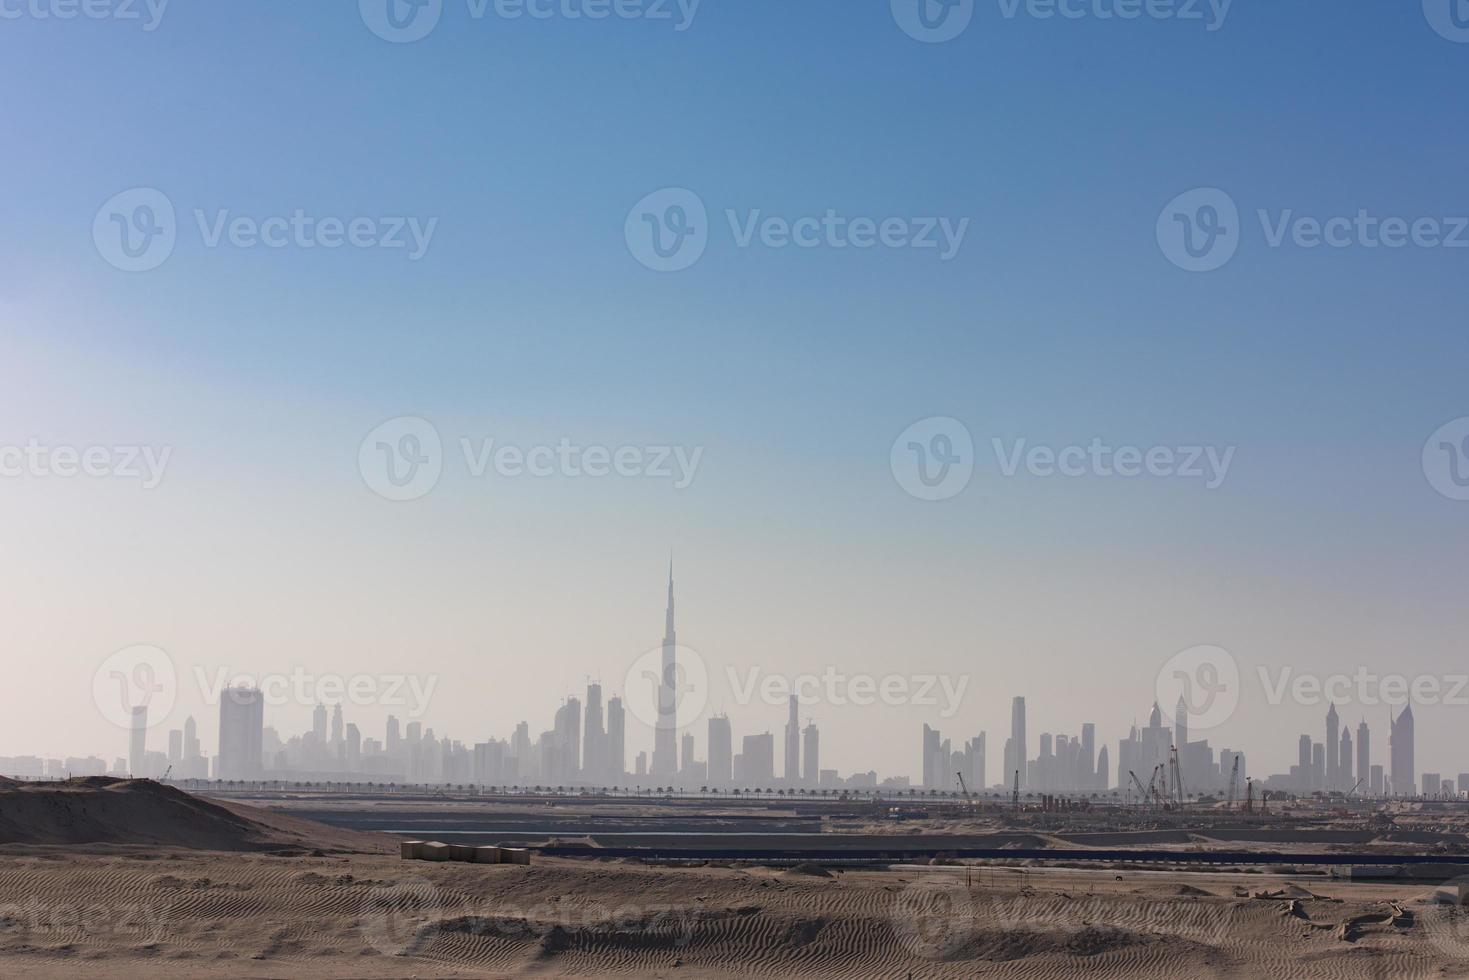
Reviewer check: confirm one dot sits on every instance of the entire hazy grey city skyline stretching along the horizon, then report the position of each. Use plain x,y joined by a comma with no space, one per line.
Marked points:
581,750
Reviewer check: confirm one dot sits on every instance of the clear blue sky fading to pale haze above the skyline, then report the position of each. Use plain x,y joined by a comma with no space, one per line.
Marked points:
534,155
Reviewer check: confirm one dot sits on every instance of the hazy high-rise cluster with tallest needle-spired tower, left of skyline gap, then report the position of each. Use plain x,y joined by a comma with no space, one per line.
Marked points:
587,746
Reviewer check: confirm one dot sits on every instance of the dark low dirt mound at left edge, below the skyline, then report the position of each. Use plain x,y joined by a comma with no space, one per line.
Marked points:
137,812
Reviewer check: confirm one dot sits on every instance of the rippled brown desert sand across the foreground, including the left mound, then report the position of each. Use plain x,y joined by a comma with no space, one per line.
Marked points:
278,897
